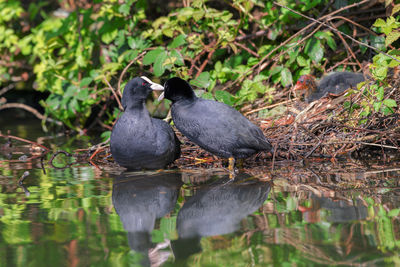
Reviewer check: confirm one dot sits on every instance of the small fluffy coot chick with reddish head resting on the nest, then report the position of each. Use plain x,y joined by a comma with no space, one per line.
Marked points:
334,83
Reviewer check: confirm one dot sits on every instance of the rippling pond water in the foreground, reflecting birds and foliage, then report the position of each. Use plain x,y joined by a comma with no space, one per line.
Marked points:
84,216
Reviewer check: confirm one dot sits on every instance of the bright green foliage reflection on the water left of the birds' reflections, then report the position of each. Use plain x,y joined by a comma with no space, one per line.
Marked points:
67,219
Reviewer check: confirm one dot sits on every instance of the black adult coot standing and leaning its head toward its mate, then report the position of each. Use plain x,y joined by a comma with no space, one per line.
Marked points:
214,126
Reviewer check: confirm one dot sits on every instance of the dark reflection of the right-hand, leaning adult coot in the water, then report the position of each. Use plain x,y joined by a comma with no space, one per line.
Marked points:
217,210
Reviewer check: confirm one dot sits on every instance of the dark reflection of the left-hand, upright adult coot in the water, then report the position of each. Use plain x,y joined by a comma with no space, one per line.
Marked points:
141,199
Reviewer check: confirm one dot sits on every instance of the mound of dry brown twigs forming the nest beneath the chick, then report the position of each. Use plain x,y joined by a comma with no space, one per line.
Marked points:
329,128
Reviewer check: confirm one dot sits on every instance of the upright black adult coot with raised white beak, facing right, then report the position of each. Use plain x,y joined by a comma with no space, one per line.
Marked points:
139,141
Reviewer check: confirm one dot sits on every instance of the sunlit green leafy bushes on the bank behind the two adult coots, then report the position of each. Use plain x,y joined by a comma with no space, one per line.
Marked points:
71,57
